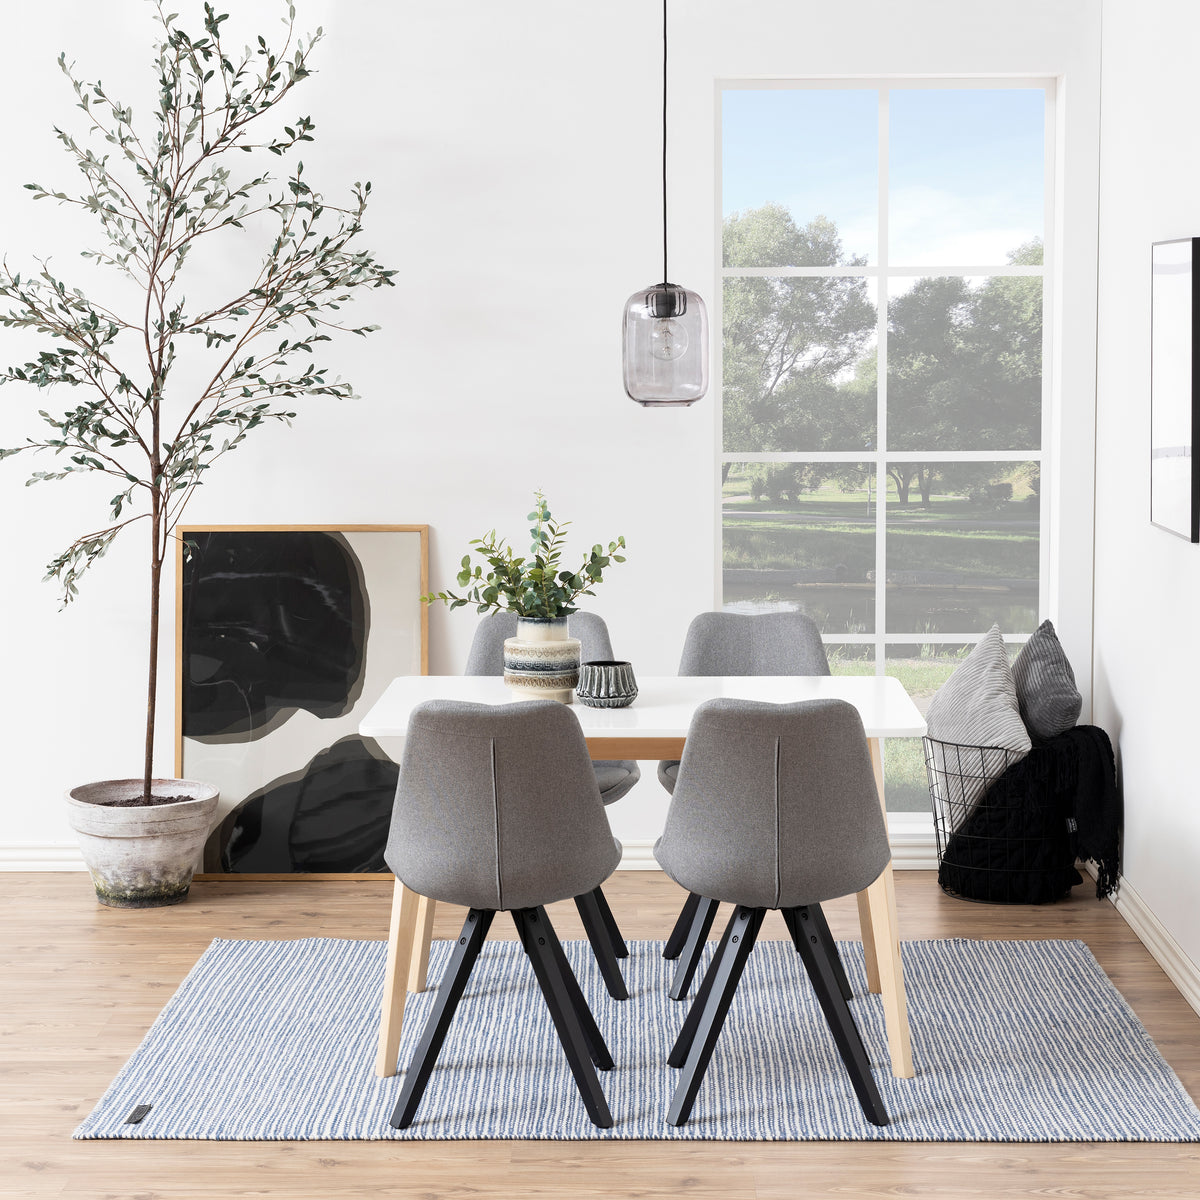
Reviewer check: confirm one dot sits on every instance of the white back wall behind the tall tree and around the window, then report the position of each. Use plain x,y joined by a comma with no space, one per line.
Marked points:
514,152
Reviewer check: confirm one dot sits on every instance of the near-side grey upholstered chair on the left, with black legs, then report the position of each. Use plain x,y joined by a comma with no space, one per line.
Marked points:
497,809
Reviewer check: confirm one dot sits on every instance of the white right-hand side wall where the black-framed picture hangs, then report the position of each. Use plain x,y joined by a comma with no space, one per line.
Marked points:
1148,583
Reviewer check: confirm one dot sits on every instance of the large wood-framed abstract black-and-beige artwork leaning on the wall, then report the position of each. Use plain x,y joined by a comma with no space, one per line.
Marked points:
286,635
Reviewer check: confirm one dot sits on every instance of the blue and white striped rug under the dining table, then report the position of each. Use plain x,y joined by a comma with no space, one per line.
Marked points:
1013,1042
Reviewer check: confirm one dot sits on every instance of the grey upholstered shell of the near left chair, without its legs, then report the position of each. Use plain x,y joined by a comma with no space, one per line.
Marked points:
497,807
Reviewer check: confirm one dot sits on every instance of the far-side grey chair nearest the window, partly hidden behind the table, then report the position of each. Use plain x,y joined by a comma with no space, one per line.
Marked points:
730,644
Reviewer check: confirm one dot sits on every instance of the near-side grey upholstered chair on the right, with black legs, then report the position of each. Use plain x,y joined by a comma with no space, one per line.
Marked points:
776,808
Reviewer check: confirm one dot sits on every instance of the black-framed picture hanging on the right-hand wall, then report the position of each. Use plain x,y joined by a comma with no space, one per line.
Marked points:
1175,388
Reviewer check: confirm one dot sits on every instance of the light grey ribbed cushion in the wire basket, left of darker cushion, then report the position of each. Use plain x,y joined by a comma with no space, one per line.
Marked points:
977,707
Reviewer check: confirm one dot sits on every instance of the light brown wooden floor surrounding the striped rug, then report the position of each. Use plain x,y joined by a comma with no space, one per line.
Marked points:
81,985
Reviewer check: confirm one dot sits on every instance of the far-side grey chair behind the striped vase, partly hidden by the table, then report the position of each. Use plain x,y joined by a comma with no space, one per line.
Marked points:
614,778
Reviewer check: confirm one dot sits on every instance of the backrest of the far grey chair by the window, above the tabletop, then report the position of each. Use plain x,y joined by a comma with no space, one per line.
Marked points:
730,644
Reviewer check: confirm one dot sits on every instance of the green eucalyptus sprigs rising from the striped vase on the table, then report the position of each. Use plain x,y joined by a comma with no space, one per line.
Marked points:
531,587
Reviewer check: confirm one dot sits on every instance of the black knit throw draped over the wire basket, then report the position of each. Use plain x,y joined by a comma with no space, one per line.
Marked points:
1019,842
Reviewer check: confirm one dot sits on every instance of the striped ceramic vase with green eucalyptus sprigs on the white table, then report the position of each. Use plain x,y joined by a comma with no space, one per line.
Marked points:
543,662
